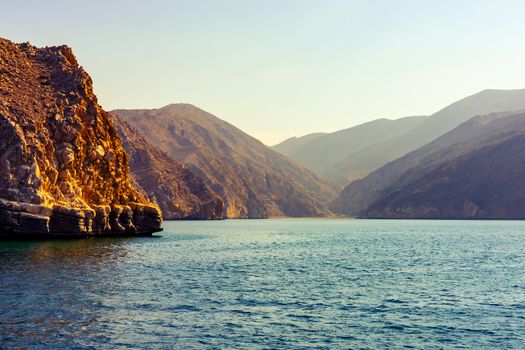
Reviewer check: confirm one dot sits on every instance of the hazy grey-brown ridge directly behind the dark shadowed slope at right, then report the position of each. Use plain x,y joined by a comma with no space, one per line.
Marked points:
469,136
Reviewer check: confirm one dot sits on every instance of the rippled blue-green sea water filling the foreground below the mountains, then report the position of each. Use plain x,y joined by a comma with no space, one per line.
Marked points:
271,284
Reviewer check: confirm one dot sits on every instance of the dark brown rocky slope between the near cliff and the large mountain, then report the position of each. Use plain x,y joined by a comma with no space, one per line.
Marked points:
179,193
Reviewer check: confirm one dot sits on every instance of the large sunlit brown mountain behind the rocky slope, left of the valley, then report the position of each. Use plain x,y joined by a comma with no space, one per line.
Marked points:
253,180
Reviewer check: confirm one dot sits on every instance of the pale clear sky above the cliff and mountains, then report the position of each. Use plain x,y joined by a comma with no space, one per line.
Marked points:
281,68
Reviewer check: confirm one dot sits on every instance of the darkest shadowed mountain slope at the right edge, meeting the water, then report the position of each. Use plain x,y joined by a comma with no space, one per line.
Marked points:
484,184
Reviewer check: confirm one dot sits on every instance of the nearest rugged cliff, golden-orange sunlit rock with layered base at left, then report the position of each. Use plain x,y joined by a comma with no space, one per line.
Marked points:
62,168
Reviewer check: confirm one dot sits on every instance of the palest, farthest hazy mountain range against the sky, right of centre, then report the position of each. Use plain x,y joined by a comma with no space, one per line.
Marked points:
353,153
